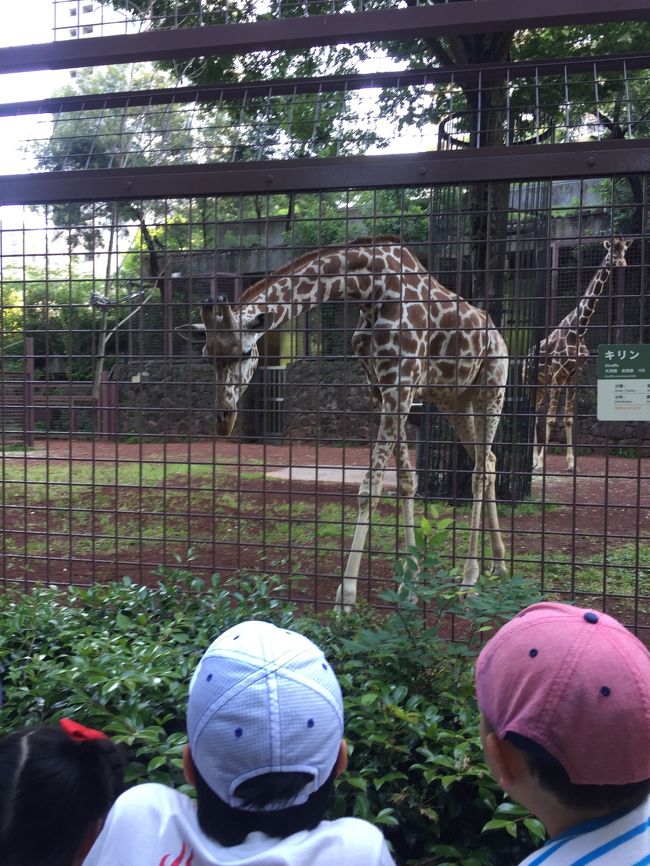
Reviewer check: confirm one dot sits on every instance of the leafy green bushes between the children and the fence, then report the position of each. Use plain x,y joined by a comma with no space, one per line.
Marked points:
119,657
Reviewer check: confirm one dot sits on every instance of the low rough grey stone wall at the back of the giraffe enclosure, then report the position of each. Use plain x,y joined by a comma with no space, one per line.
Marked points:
327,400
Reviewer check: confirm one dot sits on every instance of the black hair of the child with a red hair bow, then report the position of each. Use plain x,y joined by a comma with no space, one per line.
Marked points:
54,791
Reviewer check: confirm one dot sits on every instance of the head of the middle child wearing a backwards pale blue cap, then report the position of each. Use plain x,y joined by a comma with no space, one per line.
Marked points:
265,728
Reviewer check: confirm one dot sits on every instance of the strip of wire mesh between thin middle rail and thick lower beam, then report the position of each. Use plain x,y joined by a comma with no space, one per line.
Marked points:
336,117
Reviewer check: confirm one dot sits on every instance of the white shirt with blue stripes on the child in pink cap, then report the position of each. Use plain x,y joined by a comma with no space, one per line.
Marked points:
621,840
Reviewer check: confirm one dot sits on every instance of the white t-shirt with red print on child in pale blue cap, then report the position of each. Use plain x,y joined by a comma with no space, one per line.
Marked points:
152,825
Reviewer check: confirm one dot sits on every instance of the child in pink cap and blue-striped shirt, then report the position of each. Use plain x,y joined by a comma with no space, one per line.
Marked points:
564,695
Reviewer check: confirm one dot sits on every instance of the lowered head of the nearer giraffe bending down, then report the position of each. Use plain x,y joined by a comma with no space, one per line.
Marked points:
229,340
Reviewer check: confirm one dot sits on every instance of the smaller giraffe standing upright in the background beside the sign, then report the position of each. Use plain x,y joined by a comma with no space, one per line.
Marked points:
559,358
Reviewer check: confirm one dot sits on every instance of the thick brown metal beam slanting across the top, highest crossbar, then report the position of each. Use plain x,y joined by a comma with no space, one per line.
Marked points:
469,16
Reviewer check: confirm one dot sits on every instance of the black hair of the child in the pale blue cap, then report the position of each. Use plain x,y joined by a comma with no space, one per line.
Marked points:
230,826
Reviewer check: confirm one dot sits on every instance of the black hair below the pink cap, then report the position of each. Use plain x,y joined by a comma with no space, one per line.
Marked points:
553,778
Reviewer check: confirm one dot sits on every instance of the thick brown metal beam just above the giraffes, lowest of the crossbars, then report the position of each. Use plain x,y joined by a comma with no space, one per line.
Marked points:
583,159
